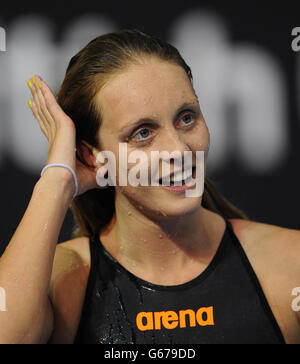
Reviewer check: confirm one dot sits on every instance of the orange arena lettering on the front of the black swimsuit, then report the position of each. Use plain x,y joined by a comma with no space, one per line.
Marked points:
171,320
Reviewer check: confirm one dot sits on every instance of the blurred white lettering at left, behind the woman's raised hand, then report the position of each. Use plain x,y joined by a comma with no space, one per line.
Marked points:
41,55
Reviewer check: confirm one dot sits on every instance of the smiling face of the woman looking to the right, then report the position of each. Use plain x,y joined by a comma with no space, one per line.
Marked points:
152,107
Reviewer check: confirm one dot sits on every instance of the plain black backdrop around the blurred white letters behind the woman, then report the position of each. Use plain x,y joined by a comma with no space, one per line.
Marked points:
270,197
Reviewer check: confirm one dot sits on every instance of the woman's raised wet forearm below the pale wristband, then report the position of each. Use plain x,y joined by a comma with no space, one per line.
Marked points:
26,265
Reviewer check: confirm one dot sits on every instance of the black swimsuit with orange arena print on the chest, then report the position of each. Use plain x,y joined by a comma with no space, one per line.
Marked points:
225,304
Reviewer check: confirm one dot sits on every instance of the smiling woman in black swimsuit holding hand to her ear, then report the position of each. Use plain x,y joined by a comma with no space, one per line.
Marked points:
146,264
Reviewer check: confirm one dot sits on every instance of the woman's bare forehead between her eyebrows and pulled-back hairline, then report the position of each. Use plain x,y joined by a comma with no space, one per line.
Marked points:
152,88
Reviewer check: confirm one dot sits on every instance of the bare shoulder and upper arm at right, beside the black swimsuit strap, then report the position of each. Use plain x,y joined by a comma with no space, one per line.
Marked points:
274,253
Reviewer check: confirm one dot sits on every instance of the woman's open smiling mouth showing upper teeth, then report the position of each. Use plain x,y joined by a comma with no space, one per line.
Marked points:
184,180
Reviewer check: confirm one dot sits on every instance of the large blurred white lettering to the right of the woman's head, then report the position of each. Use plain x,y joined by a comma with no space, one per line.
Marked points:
241,77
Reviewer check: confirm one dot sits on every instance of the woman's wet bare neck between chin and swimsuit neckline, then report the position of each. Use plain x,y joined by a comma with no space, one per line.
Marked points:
146,245
